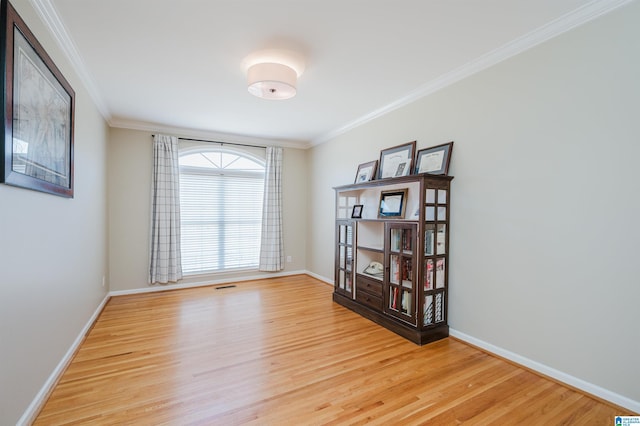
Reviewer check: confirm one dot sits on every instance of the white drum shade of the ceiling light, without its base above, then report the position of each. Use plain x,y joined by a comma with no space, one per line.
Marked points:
272,81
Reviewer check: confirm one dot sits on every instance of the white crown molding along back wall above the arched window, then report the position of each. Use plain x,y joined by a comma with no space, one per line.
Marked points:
206,135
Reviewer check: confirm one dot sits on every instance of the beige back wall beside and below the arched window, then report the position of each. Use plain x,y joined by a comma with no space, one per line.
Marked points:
130,164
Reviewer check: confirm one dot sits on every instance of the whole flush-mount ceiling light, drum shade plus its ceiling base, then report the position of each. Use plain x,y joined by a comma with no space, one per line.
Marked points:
273,73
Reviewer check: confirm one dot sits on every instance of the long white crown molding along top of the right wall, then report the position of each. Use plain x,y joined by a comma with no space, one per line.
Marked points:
567,22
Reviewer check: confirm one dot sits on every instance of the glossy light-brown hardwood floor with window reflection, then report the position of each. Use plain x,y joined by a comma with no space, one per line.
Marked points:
279,351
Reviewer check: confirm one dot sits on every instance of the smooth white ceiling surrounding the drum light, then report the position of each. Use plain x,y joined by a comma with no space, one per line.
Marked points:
176,66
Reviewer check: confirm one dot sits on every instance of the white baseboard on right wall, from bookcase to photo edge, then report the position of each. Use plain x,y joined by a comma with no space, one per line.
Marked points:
560,376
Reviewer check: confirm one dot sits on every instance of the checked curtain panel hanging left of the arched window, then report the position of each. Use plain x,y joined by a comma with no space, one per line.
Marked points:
165,258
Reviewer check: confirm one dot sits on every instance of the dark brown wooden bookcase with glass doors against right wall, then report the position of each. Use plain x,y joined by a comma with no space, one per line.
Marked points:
392,263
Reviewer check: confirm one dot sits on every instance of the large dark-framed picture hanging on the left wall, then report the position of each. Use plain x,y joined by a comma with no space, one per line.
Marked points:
37,141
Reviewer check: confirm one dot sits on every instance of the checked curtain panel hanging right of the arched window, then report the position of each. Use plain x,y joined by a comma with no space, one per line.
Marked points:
272,245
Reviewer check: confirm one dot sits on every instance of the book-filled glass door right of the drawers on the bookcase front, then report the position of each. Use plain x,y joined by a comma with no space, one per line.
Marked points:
400,261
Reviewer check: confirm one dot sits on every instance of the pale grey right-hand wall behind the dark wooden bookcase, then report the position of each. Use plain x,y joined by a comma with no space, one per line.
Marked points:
545,202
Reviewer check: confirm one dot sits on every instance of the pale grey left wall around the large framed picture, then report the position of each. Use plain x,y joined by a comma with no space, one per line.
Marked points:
53,254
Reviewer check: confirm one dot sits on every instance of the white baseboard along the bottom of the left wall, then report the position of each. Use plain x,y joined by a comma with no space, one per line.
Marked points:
32,410
